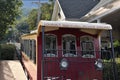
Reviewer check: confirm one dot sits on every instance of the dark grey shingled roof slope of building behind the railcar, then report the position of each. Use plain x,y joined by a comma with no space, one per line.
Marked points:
75,9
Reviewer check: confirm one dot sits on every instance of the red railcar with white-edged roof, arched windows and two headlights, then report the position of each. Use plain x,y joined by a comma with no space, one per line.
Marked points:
64,50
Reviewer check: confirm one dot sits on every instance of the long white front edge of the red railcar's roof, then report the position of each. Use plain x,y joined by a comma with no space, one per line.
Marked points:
72,24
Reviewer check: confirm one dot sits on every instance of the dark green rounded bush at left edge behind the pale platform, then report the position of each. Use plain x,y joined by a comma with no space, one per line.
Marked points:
7,51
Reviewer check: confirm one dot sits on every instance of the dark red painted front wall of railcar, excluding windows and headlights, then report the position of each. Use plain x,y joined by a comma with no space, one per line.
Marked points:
79,68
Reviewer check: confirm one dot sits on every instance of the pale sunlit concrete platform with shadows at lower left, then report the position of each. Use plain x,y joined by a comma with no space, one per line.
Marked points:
11,70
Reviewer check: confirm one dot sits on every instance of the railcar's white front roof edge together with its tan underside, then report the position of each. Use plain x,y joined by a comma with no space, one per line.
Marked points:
91,28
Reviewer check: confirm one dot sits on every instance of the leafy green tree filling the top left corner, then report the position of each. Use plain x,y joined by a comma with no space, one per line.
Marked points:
9,10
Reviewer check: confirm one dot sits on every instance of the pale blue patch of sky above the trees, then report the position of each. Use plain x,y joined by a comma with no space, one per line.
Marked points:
31,3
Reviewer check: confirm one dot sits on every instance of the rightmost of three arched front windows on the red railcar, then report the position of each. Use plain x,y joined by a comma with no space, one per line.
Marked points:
87,47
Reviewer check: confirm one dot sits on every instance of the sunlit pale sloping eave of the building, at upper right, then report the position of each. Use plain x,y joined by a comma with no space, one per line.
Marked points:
108,13
